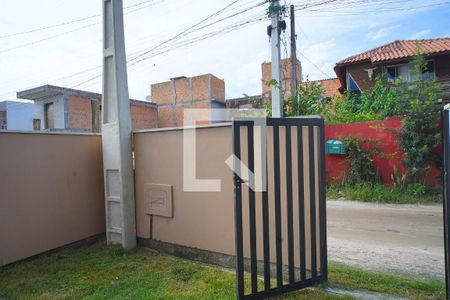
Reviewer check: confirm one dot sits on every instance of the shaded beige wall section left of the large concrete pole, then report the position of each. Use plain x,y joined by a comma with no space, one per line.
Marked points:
51,192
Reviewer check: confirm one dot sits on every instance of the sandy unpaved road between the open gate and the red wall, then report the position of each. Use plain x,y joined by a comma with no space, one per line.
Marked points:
404,239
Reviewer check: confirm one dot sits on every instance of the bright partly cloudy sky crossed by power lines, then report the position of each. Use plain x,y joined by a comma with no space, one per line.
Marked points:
165,39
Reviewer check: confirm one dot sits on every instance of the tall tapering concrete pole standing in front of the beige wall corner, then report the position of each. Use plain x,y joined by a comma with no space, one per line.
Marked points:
116,131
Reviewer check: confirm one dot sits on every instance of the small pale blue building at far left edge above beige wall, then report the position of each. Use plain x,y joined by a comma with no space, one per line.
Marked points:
16,115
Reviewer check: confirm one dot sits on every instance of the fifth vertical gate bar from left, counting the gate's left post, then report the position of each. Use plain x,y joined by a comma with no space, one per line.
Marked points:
289,205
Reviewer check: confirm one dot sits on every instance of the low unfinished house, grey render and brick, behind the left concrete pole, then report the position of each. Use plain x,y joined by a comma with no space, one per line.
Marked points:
66,109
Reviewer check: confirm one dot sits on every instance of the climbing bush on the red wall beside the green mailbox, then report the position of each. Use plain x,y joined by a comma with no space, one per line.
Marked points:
360,160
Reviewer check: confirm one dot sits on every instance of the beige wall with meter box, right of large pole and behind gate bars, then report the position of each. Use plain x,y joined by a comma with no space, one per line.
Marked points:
206,220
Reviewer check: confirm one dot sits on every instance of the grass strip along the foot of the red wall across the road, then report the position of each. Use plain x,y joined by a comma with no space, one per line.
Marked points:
381,194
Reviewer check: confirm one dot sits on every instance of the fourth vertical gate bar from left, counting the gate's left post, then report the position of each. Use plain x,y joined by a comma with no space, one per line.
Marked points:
277,196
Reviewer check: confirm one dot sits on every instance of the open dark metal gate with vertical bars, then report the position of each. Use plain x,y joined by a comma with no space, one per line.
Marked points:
293,285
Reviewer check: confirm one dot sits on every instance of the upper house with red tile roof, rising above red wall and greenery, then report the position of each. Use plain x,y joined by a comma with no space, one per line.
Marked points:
394,60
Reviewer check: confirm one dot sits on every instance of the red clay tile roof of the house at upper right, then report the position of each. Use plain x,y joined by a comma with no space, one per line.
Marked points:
399,50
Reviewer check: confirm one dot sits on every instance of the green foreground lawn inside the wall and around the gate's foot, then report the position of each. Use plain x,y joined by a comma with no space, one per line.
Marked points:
100,272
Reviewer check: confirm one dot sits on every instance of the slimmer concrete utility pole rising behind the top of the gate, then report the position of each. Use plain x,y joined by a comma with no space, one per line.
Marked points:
275,9
